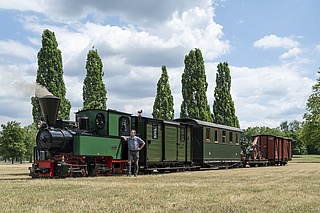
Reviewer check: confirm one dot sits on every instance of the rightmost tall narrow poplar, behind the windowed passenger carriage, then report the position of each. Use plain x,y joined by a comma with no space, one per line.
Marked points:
223,106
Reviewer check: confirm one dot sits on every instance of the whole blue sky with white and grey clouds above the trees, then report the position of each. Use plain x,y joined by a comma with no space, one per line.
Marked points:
272,48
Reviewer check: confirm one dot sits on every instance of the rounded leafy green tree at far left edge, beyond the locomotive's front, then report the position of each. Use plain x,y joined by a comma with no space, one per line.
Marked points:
12,141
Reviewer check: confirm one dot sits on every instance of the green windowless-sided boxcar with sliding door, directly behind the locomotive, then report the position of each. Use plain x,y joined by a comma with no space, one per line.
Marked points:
167,144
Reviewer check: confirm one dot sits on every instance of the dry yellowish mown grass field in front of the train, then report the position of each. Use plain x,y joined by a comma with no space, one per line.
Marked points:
291,188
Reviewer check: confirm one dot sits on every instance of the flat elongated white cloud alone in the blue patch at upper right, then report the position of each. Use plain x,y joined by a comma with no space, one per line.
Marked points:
273,41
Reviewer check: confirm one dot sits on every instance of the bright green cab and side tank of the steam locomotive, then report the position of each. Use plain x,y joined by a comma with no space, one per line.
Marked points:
105,128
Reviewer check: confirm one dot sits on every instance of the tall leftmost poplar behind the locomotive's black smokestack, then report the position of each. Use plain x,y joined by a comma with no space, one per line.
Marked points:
50,75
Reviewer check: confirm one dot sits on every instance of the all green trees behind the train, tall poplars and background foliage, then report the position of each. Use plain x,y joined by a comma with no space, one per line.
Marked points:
17,142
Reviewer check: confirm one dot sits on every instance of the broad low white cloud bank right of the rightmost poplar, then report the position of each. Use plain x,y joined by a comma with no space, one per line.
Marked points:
269,95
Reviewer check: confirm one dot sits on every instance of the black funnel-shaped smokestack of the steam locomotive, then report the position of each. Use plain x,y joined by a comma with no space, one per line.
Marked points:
49,106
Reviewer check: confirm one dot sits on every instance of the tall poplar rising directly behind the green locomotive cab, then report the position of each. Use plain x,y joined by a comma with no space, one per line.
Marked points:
94,91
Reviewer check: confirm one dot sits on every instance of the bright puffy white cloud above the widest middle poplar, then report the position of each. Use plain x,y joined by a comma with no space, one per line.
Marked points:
195,28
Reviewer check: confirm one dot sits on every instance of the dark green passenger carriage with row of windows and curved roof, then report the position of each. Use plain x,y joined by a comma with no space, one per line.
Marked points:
214,144
